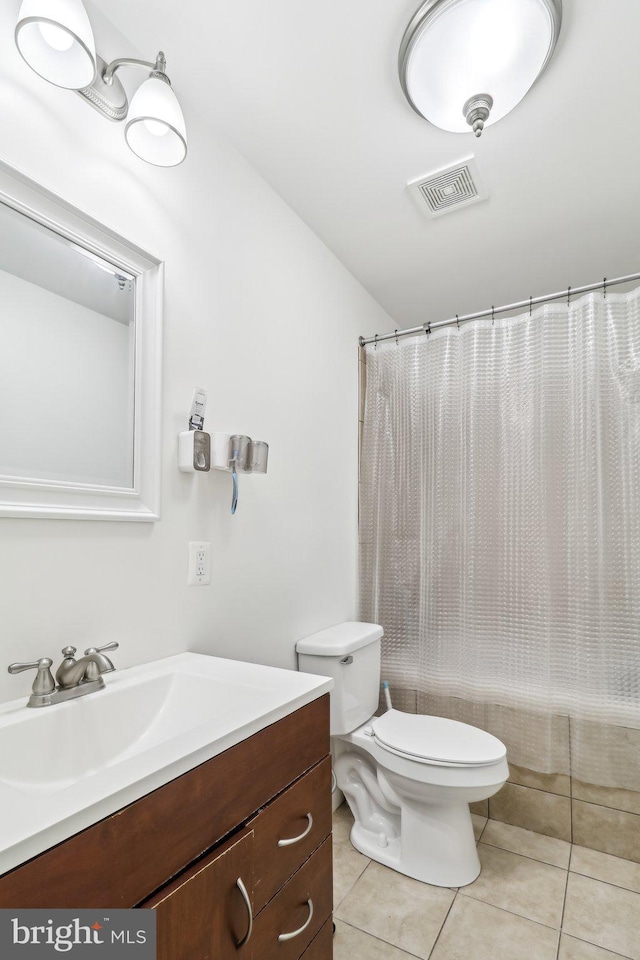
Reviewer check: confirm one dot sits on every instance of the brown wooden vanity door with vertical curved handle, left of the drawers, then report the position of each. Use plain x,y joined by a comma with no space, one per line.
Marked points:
205,914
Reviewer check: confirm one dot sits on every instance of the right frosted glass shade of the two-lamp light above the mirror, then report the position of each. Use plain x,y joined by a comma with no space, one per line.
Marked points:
155,129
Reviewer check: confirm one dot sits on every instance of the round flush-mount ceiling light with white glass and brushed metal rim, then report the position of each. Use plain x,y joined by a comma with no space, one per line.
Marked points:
467,63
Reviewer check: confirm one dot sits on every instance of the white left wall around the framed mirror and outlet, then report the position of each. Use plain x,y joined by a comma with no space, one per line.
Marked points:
259,313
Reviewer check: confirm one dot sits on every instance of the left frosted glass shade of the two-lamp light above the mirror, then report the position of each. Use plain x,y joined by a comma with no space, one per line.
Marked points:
55,38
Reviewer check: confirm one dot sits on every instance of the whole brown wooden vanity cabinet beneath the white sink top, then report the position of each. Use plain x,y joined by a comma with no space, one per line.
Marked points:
260,813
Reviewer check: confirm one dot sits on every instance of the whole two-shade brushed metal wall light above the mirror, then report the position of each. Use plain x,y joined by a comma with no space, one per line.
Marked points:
55,39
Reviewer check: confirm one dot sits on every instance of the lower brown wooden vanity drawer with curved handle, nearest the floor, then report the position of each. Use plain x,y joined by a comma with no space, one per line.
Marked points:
289,911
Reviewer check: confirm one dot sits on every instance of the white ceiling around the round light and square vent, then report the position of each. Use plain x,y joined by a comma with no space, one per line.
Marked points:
309,94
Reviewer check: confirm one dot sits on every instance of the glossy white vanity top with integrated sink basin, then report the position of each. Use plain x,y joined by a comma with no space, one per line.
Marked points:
66,766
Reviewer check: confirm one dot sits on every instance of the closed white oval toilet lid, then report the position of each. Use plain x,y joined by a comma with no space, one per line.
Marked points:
435,738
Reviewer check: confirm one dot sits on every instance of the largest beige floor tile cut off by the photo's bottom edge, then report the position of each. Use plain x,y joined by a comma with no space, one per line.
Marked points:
478,931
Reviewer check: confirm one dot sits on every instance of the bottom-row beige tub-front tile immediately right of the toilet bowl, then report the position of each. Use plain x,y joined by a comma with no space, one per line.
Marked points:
534,810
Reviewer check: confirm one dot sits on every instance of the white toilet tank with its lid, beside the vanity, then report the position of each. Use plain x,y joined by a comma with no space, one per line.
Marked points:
350,653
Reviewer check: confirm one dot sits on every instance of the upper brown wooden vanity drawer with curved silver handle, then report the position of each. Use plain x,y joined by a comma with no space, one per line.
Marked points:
289,830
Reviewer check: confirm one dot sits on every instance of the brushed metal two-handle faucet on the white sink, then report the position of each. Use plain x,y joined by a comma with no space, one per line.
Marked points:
75,678
